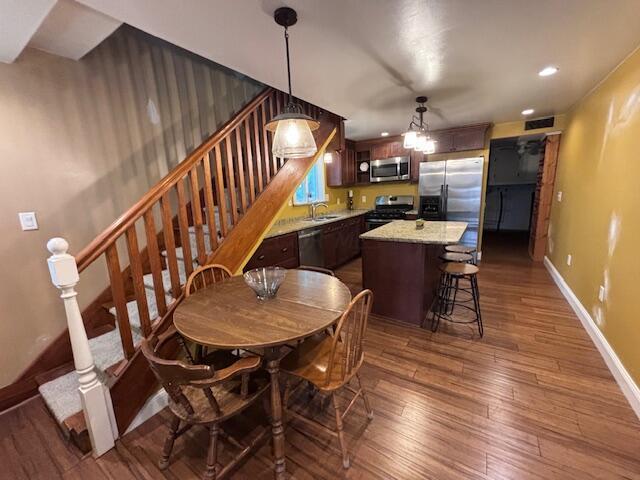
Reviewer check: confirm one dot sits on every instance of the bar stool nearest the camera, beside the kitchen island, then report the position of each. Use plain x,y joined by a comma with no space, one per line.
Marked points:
444,306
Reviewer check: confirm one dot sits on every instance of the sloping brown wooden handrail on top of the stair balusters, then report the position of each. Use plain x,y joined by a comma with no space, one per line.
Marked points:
99,244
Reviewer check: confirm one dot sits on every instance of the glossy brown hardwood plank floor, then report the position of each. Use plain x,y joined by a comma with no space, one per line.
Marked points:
532,399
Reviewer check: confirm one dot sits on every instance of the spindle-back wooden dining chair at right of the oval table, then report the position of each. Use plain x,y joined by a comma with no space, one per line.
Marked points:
330,364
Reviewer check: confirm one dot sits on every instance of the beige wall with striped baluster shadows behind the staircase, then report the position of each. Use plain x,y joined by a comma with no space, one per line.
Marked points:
81,142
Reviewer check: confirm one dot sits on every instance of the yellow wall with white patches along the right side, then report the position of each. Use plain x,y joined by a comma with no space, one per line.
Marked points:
598,220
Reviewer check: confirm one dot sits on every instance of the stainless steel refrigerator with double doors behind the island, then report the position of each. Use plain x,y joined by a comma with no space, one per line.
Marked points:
452,190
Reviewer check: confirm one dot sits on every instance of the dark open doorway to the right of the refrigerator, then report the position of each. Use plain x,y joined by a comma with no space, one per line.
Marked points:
513,182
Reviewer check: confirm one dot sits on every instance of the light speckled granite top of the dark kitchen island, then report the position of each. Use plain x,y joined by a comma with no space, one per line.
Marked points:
405,231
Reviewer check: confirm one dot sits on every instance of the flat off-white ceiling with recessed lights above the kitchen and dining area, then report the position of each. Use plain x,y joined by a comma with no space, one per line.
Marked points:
368,59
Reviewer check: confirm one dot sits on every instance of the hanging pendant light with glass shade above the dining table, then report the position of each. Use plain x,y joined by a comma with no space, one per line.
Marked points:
292,128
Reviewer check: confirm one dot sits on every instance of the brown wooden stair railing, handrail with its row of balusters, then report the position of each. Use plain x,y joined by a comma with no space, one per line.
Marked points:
206,194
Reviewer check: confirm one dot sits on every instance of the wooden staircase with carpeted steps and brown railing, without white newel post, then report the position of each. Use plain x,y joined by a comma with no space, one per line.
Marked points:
215,206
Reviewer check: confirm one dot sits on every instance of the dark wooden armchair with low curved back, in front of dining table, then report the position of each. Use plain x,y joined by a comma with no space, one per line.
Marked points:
202,395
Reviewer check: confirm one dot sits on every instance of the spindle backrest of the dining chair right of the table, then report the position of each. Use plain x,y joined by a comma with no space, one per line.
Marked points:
347,350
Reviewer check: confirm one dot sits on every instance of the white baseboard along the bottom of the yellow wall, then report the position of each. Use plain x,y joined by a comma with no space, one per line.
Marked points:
629,388
